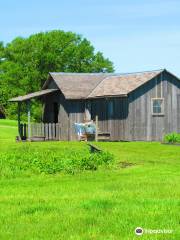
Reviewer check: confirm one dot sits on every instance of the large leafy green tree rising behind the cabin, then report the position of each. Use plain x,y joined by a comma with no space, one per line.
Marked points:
25,63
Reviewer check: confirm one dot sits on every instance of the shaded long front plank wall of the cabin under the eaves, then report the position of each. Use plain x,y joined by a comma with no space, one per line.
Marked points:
71,111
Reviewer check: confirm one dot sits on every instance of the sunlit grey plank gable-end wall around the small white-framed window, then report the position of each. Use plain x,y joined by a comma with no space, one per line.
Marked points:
141,124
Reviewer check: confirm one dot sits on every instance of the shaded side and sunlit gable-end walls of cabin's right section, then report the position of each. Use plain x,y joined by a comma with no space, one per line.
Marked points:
132,118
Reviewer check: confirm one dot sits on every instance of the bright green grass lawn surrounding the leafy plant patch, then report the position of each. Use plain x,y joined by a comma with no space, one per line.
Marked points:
140,189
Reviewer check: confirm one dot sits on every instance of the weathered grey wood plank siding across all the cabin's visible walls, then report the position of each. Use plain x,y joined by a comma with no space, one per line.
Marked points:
131,119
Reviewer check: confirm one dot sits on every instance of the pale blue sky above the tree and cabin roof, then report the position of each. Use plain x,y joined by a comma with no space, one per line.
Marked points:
136,35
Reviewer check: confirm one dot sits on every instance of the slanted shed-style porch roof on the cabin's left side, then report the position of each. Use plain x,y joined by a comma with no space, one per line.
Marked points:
32,95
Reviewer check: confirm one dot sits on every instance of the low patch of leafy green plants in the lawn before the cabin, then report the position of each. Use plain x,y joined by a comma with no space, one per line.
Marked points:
51,162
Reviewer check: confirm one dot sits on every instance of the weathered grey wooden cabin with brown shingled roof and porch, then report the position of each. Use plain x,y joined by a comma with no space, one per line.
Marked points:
139,106
